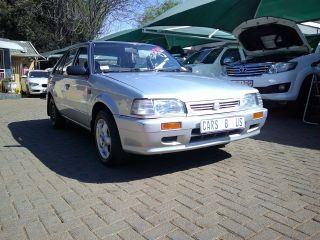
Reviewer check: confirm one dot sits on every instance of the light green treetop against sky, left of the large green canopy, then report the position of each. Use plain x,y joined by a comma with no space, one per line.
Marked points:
152,12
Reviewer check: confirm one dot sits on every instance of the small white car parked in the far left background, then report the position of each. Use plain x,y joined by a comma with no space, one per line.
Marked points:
35,82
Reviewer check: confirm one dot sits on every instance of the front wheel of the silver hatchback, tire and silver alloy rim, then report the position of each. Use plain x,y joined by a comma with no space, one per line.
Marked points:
107,139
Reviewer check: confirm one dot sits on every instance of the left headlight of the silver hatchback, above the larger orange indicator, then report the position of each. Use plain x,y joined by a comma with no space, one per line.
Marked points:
158,107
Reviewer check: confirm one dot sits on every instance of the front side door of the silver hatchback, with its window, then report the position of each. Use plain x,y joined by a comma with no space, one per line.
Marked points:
78,90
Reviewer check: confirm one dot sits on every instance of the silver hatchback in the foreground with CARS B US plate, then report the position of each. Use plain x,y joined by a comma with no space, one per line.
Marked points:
136,98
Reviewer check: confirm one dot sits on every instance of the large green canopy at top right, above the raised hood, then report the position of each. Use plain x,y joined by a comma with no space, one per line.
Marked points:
228,14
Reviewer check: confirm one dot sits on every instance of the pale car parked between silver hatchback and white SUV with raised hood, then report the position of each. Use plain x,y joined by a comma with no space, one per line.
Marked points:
210,61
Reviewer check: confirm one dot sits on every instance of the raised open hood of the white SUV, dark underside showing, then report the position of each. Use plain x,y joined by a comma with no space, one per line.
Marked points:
269,35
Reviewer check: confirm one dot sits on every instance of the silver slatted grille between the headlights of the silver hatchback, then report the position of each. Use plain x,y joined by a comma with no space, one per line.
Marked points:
214,106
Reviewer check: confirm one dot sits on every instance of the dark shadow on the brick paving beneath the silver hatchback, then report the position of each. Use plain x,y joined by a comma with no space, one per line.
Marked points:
71,153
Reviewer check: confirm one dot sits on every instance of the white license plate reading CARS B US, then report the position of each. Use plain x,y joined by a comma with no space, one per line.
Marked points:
221,124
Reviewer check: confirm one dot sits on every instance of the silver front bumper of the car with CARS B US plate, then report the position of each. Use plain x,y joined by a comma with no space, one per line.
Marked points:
144,136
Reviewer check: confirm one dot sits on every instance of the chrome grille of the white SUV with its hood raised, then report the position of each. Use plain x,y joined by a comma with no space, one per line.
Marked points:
247,70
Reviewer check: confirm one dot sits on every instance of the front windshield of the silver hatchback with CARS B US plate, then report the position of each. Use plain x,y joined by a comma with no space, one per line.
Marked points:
120,57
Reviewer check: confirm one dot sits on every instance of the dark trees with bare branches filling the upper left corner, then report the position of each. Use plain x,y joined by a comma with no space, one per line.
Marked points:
54,24
